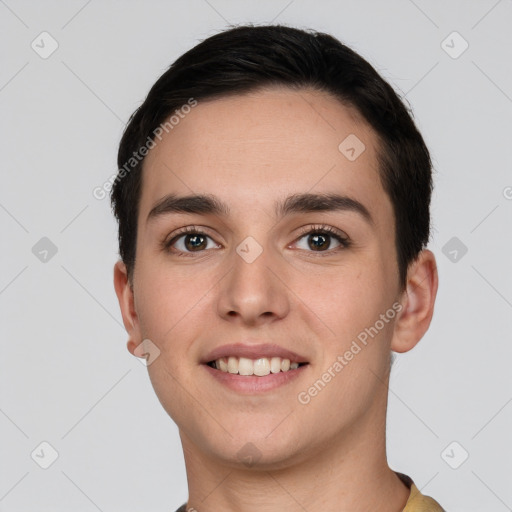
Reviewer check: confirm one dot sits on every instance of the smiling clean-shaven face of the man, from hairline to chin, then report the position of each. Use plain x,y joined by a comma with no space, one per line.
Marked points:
274,274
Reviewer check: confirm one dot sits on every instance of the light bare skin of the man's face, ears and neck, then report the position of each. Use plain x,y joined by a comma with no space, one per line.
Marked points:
250,151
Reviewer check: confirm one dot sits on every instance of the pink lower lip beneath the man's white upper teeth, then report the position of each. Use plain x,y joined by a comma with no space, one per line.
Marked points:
252,384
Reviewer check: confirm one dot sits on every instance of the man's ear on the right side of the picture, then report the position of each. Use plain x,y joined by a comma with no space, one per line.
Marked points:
417,303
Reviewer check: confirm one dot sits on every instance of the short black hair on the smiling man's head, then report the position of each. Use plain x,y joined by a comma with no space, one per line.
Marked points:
247,58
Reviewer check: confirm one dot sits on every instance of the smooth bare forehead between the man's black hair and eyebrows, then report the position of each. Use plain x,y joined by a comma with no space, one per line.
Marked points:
253,148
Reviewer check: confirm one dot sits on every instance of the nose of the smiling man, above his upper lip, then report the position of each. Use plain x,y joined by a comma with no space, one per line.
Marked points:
254,292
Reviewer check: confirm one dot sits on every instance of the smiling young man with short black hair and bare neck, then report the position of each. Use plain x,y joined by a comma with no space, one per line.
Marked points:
273,205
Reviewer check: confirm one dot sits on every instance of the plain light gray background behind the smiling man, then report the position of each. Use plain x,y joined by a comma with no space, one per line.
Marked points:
66,377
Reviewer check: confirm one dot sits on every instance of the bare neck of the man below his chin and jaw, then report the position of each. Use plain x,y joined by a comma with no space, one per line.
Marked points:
345,473
